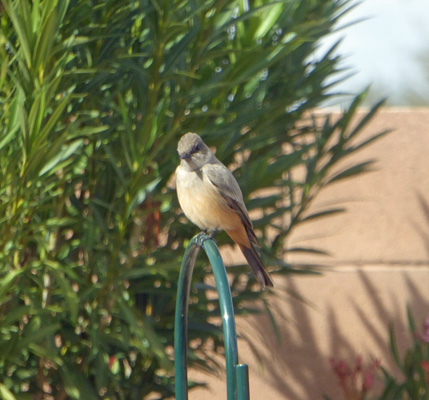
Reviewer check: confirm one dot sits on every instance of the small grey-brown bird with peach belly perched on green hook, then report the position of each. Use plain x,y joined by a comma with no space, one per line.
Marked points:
211,198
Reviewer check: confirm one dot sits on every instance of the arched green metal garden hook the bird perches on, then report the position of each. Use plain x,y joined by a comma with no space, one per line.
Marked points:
237,378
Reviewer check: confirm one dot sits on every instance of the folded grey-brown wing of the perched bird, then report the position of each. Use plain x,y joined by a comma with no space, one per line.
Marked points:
228,188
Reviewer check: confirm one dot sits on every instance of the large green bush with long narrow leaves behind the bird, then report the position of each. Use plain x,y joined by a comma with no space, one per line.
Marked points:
94,96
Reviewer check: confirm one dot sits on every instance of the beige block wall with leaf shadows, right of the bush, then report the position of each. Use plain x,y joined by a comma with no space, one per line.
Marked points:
379,263
